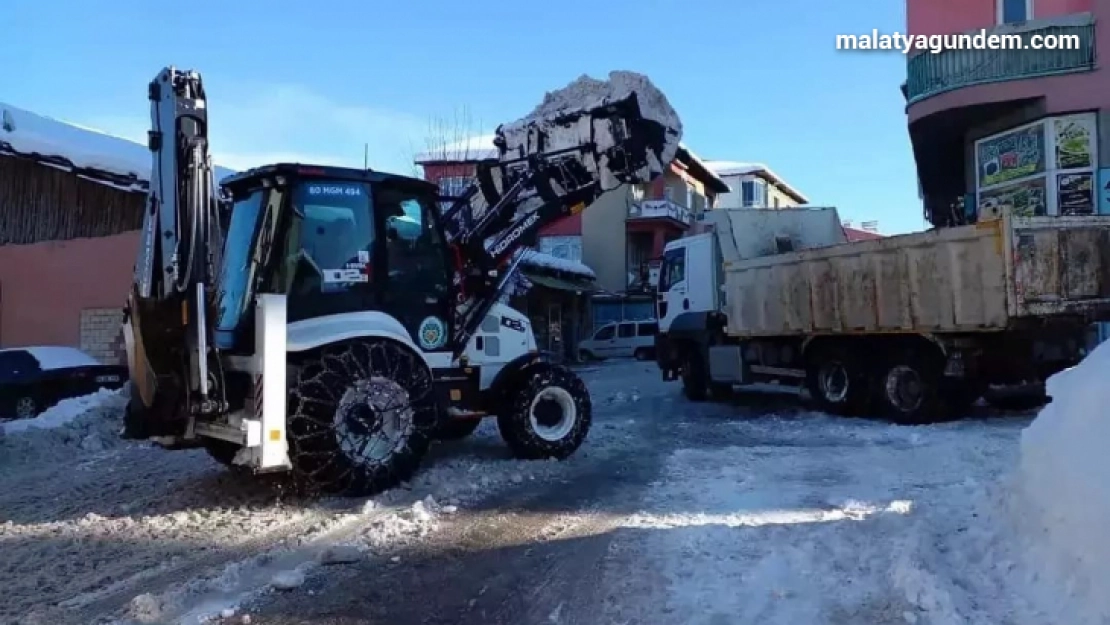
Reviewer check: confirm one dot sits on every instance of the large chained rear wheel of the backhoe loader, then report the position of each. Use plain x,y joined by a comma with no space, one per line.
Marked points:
360,417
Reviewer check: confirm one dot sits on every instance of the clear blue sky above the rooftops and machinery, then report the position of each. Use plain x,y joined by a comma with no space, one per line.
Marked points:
754,80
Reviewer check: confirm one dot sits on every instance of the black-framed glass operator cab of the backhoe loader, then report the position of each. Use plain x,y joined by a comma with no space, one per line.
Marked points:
335,240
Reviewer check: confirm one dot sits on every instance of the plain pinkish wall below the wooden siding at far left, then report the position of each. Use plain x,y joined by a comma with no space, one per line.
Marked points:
45,288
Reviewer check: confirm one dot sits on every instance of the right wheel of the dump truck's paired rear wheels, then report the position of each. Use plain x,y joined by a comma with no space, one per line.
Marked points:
909,390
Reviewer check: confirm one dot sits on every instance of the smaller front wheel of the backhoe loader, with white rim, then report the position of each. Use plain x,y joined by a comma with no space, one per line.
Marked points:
549,417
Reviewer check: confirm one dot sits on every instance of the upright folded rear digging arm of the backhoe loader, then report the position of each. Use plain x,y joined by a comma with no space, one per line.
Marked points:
167,325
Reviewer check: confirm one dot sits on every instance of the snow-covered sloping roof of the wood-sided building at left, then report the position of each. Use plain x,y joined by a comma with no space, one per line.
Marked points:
90,154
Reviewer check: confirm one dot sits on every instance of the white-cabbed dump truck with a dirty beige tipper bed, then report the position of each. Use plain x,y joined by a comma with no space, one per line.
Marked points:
914,328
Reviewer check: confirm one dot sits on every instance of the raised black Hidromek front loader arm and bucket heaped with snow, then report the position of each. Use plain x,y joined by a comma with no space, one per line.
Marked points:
584,140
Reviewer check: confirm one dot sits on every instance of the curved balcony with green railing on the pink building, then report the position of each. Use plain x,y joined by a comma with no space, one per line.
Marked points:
930,74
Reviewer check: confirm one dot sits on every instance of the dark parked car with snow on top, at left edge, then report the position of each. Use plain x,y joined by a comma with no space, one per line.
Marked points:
35,379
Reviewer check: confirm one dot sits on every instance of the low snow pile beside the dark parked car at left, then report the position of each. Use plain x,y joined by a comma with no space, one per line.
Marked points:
90,424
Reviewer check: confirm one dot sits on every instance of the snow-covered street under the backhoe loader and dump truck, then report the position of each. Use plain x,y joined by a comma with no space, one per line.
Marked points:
723,515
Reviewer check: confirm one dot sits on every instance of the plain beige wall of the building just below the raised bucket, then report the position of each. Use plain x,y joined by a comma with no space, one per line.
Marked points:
604,239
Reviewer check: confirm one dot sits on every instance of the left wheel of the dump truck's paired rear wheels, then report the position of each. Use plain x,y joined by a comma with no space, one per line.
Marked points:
839,382
